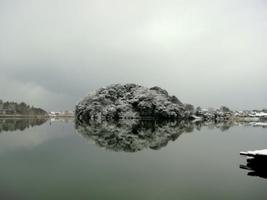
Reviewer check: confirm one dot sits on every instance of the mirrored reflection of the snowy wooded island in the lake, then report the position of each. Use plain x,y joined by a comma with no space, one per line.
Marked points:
137,135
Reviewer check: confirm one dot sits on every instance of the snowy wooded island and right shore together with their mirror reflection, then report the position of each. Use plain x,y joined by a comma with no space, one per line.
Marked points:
131,117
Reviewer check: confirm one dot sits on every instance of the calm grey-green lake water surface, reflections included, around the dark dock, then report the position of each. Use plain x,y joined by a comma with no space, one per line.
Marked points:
53,160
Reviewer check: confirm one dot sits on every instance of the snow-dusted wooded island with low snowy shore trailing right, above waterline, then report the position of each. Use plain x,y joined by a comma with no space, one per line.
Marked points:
132,101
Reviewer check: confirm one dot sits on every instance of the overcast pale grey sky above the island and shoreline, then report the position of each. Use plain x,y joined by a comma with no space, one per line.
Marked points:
208,53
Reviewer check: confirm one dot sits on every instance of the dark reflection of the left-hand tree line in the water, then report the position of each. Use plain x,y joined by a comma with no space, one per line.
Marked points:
13,124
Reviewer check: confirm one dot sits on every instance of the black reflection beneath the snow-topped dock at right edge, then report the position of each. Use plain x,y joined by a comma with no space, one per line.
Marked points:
257,166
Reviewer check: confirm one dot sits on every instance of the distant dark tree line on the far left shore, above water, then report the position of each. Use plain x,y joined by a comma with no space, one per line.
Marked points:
13,108
